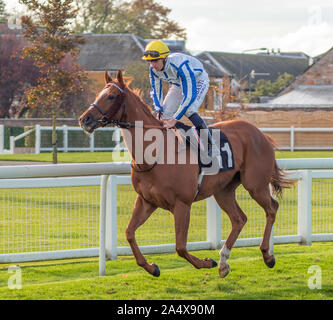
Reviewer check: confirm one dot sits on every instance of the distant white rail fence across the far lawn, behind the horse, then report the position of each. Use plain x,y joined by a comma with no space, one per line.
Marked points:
118,146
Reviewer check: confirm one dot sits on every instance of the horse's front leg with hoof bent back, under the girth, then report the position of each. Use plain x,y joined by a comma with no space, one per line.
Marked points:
181,214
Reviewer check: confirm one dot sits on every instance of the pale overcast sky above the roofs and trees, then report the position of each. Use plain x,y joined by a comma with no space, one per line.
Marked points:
238,25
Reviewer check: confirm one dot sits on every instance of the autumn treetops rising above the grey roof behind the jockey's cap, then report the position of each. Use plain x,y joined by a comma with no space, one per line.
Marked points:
145,18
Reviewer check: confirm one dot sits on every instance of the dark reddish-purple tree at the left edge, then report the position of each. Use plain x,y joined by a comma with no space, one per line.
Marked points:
15,73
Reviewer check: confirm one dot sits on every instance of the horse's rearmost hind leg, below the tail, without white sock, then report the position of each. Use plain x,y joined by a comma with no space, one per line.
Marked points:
264,199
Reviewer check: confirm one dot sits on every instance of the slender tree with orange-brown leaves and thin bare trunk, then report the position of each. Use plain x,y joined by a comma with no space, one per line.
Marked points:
50,42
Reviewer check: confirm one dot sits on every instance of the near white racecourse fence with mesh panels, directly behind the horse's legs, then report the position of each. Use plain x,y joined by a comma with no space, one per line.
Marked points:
55,211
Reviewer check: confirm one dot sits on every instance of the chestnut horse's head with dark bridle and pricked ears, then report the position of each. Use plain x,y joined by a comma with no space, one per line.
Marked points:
106,106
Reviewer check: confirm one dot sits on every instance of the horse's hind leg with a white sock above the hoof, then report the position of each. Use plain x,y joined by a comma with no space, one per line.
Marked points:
227,201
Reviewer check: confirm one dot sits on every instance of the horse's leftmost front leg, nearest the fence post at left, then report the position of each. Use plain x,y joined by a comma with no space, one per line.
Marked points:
141,212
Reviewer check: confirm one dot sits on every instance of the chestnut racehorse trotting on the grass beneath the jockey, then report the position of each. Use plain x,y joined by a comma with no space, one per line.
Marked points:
174,186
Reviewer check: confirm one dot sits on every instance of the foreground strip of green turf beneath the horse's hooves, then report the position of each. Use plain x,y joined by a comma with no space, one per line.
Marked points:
249,277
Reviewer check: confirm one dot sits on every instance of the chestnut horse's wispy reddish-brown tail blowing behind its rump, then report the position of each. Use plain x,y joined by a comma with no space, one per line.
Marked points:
279,179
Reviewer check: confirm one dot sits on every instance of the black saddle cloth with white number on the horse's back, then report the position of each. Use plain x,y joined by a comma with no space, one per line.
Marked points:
222,160
